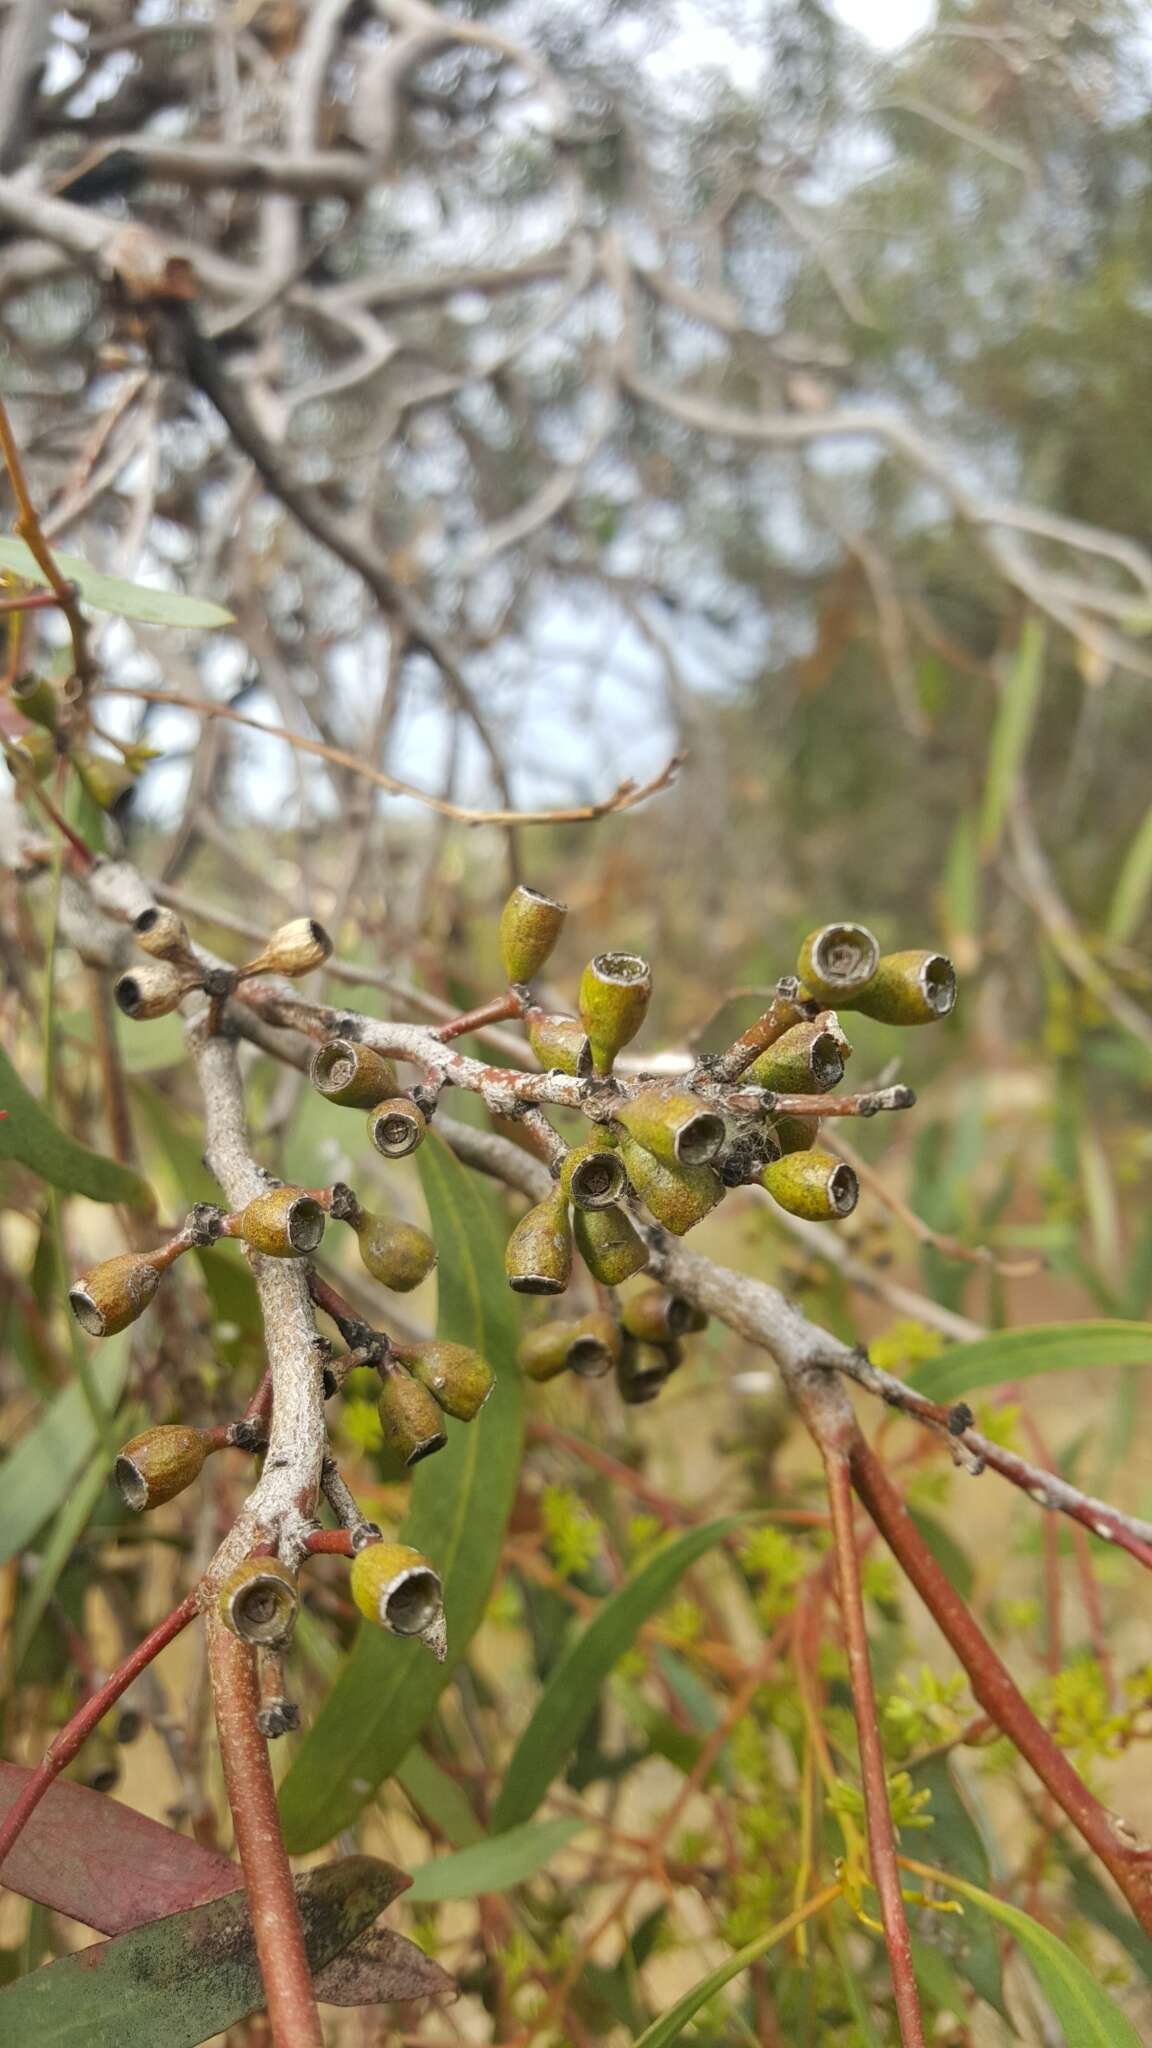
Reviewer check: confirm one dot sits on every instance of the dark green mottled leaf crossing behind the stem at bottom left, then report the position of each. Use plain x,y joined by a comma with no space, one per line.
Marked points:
186,1977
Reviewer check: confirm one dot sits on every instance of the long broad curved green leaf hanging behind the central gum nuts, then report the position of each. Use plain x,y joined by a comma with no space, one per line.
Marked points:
458,1512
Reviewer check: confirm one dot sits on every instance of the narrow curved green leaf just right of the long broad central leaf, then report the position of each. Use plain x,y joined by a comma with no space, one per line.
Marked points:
573,1689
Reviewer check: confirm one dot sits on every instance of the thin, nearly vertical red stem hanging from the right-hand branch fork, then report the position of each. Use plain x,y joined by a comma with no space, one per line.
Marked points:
874,1773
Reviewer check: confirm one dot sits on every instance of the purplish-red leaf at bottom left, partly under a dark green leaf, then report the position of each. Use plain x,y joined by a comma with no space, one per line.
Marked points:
112,1869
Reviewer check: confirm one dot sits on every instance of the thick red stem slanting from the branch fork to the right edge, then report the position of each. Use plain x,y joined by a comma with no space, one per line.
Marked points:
995,1687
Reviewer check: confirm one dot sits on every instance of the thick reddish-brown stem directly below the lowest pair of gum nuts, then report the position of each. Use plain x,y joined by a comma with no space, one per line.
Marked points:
268,1877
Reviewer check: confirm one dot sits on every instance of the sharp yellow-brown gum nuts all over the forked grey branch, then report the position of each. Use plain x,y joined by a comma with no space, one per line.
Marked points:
669,1146
